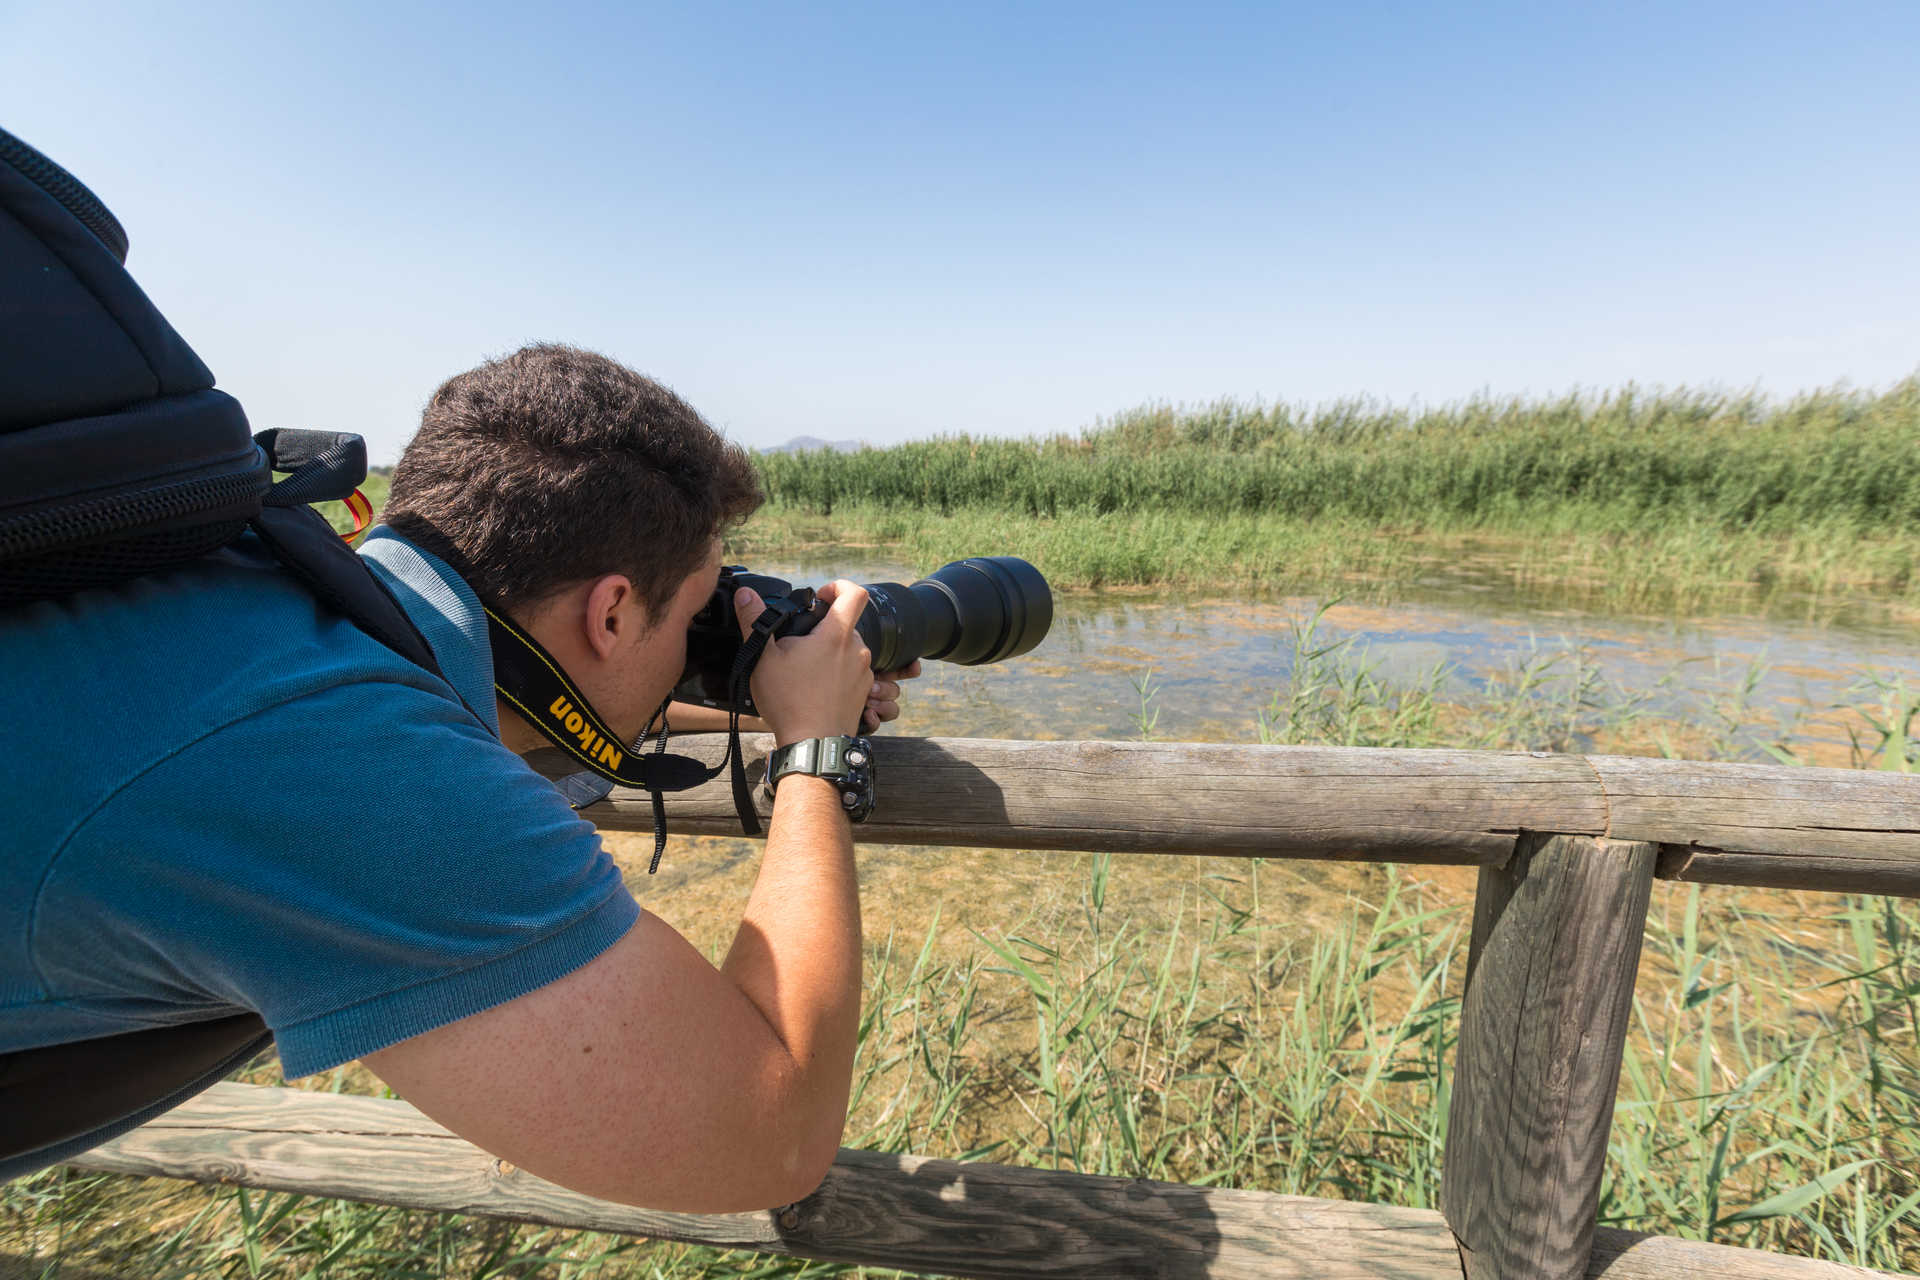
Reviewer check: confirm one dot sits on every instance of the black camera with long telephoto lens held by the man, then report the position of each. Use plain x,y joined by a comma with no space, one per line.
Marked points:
984,609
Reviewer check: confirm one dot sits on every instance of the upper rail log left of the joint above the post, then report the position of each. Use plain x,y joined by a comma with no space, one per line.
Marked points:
1184,799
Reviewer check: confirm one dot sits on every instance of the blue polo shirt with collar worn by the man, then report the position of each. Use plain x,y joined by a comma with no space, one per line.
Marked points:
218,797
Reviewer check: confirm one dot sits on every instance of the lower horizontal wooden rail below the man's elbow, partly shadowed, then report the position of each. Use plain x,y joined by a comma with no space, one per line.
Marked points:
928,1216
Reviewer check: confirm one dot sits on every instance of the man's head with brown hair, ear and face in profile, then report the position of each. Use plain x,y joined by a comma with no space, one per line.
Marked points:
585,500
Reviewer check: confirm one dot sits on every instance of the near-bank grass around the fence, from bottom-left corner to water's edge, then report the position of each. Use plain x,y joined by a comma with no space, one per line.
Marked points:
1247,1026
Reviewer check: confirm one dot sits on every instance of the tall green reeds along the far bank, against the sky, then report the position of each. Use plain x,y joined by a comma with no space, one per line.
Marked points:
1735,462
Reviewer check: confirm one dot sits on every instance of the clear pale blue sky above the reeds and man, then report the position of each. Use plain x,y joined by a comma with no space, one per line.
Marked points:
896,222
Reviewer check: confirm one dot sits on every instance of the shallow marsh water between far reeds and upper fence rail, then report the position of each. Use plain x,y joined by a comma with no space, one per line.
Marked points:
1211,665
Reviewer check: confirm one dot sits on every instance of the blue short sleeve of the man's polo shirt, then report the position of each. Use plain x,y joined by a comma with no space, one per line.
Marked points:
360,866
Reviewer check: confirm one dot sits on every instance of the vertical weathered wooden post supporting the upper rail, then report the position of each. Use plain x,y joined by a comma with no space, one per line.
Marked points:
1550,985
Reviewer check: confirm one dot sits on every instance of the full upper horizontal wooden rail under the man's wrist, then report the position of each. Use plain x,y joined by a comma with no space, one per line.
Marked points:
1721,824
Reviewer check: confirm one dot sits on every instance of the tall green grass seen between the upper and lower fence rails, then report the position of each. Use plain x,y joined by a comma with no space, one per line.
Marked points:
1767,1097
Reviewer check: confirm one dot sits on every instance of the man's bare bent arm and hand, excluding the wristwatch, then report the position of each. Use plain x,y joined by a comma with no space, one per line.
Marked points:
658,1079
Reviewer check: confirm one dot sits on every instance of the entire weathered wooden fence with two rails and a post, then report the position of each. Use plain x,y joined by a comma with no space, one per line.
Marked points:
1568,849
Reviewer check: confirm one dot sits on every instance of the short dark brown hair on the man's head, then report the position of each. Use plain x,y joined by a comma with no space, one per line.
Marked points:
558,465
